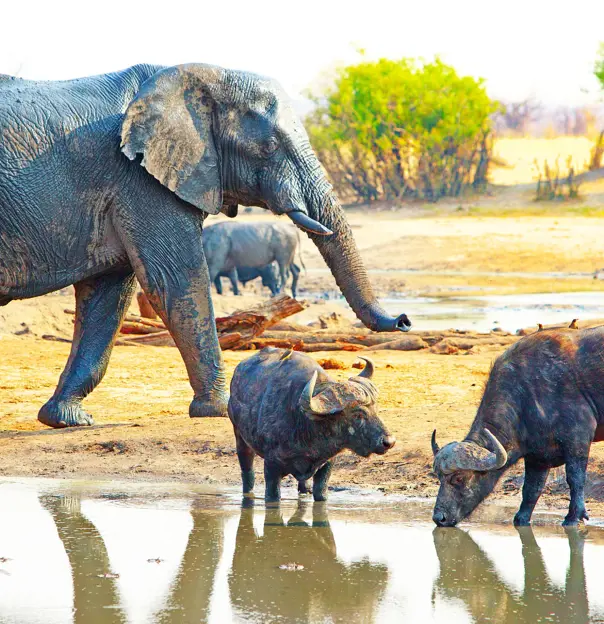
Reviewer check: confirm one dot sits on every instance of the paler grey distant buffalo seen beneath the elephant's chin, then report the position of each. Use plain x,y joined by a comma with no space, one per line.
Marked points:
229,245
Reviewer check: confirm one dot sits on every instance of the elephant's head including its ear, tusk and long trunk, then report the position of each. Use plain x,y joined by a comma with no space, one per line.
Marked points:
219,138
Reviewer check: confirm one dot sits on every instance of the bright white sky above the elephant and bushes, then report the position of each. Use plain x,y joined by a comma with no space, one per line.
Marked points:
522,47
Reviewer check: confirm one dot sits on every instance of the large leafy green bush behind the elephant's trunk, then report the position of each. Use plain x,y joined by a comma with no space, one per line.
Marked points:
392,129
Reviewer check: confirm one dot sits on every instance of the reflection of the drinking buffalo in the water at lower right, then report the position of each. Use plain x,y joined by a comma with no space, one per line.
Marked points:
468,574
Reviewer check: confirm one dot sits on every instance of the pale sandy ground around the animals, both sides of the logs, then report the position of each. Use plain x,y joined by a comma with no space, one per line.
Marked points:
141,406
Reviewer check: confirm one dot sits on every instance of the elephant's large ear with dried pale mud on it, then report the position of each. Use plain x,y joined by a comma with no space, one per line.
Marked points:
169,122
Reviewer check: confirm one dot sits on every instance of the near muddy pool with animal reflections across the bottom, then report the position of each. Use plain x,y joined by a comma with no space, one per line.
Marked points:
97,552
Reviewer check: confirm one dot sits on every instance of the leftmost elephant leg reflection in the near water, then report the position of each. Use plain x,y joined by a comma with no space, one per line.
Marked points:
88,559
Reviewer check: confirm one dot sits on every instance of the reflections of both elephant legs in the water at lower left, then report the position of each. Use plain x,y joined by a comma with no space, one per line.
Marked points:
189,600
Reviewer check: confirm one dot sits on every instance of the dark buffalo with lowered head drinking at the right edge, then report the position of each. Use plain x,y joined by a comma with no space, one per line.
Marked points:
543,402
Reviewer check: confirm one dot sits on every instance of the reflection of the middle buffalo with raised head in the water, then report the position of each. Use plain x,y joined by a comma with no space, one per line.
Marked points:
325,589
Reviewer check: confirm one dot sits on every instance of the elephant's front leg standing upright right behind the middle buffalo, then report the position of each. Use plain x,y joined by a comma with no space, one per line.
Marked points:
170,265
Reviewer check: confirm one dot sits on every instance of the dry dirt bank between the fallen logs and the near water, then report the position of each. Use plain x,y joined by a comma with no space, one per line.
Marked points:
144,431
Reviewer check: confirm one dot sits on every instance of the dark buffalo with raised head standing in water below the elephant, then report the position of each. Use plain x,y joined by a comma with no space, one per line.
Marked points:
274,418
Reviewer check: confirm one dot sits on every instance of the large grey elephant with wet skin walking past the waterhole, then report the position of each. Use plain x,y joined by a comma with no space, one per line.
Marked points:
108,179
